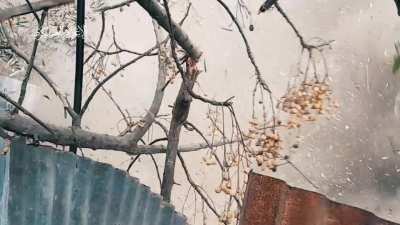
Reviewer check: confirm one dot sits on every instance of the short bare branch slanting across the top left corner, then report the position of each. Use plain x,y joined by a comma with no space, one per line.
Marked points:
6,14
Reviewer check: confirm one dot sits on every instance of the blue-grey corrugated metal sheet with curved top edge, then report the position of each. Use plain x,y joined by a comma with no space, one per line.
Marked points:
48,187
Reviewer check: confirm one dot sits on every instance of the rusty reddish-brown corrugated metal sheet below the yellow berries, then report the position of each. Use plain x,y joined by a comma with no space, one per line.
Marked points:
270,201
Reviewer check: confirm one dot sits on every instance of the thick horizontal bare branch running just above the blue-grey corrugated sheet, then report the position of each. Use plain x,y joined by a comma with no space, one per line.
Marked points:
85,139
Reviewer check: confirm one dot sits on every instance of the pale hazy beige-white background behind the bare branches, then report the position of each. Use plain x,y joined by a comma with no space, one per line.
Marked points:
349,157
